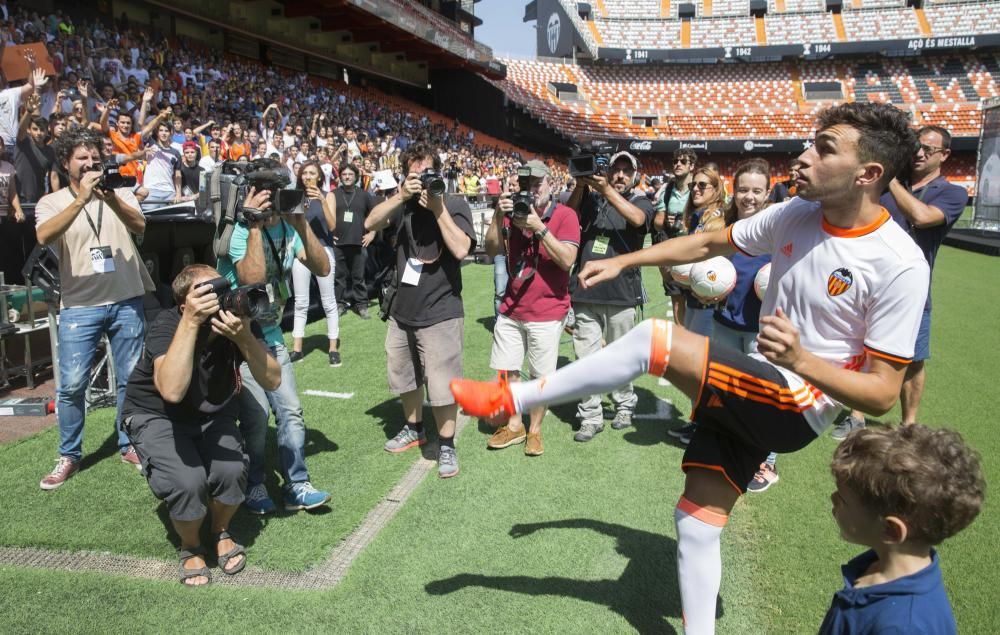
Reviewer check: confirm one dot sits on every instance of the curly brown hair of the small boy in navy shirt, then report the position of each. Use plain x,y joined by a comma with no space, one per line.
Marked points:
927,477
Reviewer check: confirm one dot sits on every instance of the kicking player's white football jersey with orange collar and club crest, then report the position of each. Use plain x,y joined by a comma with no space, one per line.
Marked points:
850,293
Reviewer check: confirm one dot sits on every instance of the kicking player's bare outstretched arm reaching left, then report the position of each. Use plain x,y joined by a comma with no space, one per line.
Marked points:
676,251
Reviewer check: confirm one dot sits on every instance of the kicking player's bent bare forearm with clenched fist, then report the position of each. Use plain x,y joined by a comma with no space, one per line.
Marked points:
874,392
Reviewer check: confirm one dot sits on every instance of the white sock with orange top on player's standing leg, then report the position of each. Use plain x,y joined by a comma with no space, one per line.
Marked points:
699,564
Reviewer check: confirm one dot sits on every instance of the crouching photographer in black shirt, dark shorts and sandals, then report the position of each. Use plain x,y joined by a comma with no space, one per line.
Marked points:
181,409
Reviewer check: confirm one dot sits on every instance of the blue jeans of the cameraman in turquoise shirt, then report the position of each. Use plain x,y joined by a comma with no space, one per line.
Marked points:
255,409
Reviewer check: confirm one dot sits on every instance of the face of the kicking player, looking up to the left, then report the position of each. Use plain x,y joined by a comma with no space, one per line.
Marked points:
829,169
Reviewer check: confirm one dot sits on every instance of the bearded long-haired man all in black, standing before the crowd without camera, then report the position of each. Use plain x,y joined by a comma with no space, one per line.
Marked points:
350,240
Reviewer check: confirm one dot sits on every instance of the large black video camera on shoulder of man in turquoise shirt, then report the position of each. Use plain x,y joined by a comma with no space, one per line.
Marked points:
259,174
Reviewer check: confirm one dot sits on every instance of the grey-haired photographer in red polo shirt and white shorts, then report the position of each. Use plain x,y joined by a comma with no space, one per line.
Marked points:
541,244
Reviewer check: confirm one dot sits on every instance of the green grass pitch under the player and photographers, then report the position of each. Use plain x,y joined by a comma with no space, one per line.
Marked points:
578,540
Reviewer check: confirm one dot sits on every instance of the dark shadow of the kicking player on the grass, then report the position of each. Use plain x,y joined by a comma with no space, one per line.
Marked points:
644,595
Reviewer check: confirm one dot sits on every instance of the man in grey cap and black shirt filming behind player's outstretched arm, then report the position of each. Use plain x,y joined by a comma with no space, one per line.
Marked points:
614,220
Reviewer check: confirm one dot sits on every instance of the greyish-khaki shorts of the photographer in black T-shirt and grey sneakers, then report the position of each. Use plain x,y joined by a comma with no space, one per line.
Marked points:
425,355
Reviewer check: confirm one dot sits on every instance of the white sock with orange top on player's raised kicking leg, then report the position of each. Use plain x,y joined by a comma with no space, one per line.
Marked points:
615,365
